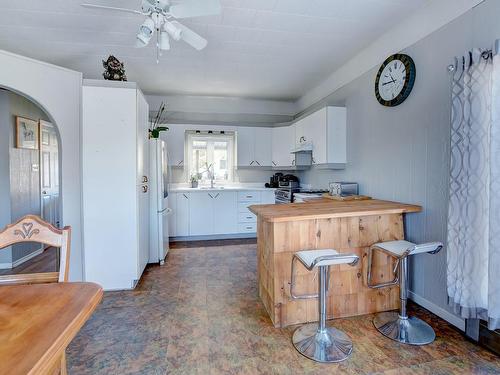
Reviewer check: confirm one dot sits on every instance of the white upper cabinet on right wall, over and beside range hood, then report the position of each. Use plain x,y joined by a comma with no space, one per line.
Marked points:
325,130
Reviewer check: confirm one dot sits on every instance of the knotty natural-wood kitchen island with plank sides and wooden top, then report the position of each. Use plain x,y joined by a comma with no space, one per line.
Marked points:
348,227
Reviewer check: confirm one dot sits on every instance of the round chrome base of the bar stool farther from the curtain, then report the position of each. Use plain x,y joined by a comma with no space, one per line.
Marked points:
327,346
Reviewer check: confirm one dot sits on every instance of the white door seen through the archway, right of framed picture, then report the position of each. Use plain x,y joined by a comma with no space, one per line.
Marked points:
49,173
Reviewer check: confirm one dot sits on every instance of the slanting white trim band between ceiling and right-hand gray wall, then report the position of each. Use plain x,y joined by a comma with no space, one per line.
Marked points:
423,22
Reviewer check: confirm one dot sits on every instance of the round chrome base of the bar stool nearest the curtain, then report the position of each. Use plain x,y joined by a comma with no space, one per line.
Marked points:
410,330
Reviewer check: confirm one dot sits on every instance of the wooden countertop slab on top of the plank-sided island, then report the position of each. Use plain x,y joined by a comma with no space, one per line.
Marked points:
327,208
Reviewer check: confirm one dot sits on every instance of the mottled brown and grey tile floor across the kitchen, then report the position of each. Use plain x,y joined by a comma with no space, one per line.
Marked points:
200,314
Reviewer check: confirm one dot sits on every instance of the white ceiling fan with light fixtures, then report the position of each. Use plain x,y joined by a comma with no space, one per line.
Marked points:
161,15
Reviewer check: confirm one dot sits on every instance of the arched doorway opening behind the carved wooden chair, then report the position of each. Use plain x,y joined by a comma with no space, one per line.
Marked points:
29,176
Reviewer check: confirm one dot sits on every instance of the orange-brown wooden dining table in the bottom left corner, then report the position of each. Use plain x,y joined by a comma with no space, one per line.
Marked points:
37,322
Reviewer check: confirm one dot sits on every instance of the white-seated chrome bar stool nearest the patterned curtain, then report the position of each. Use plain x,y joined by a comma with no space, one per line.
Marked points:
399,326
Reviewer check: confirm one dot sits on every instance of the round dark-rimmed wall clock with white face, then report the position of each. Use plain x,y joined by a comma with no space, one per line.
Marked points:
395,80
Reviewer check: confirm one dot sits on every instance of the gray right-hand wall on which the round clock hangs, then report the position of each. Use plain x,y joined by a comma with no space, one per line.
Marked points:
402,153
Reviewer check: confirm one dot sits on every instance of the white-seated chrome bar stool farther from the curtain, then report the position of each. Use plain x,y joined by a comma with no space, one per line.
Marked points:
316,341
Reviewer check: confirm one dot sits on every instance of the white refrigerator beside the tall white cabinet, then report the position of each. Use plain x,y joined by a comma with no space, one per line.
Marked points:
159,197
